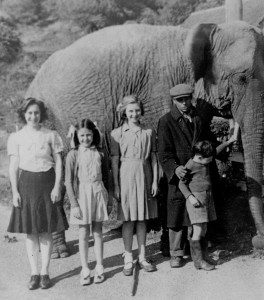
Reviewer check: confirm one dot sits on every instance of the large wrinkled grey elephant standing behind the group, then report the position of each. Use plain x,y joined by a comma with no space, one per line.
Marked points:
89,77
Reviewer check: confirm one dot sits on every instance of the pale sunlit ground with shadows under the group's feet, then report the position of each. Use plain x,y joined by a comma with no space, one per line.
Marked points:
239,276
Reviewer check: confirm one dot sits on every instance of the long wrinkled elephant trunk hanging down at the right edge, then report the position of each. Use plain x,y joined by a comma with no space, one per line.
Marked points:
252,138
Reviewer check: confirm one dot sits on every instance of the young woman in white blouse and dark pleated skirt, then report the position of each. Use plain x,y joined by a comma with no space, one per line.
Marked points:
35,172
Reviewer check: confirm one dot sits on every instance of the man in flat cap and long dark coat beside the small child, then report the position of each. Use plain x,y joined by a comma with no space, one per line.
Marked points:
178,131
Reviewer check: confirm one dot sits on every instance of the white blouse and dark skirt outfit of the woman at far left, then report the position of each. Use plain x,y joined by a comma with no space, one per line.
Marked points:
37,213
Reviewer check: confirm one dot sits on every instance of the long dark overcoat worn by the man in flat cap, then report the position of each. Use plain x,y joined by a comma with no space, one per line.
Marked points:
175,141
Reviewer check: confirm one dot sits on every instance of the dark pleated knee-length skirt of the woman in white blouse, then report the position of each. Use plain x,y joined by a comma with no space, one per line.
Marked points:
37,213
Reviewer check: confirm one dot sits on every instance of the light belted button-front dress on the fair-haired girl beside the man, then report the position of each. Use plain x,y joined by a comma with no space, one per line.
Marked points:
134,146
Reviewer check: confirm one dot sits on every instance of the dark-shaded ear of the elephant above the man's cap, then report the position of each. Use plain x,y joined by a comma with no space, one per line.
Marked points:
197,48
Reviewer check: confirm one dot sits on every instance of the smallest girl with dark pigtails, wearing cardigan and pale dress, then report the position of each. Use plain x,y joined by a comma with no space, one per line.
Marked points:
84,172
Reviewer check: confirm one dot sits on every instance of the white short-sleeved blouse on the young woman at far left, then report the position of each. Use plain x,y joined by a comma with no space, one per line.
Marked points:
35,149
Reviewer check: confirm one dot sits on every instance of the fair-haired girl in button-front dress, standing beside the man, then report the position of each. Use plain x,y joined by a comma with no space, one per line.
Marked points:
134,166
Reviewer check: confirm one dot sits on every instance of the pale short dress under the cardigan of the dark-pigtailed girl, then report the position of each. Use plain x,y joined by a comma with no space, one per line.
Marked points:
93,196
